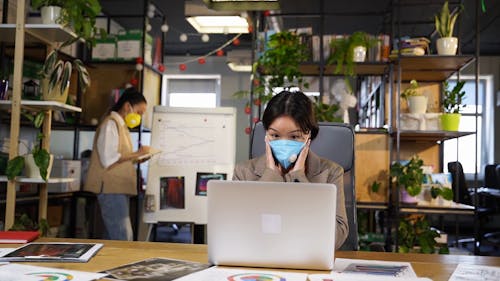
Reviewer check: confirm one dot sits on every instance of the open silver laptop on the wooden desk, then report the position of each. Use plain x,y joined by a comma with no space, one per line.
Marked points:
271,224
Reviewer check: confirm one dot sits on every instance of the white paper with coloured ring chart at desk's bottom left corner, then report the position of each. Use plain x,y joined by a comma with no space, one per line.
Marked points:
30,272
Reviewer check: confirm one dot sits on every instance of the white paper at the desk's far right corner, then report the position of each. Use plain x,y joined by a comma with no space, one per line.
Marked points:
471,272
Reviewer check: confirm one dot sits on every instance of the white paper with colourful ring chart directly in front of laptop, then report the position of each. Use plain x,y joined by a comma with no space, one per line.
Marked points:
223,273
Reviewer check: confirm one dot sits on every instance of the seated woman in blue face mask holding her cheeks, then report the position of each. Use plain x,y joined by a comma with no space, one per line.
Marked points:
290,127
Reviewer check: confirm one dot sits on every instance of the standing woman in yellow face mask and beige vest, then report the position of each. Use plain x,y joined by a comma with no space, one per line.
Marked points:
112,174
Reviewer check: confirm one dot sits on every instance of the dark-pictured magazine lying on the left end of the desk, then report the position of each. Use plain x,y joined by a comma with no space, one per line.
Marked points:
53,252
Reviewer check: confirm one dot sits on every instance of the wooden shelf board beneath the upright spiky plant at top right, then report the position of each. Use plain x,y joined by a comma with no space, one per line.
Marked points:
431,68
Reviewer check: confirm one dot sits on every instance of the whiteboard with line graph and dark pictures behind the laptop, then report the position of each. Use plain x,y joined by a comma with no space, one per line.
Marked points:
197,144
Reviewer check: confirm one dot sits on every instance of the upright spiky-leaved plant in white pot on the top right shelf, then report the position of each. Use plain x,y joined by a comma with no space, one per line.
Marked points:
445,22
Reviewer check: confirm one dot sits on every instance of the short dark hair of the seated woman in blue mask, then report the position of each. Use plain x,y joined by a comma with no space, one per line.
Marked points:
296,105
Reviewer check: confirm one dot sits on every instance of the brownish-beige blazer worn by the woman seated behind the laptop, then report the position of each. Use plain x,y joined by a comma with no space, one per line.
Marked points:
319,170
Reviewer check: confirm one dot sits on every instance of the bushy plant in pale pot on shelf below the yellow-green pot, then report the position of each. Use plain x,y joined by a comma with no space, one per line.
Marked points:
410,176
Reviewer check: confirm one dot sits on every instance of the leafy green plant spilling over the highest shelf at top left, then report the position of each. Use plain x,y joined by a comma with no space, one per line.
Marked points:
80,15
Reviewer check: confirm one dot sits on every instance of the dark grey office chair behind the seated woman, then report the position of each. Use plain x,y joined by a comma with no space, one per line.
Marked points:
335,141
